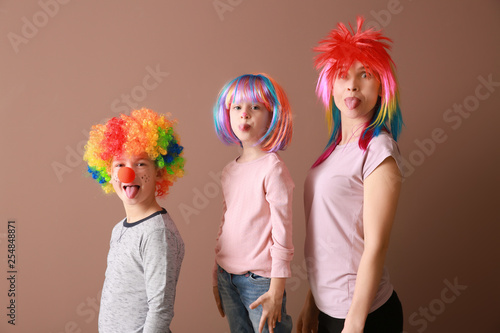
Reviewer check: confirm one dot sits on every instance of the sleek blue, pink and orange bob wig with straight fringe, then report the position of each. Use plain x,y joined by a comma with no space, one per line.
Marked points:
259,88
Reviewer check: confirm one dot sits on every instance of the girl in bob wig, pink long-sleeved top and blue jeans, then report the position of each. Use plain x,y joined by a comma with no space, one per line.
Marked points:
254,244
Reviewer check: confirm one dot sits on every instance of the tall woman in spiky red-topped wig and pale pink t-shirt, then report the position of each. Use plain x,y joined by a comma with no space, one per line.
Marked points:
352,190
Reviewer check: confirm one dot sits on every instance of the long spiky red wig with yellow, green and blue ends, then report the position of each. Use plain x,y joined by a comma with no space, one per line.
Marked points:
337,53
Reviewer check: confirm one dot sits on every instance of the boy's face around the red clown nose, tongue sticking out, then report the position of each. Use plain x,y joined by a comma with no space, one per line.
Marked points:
140,190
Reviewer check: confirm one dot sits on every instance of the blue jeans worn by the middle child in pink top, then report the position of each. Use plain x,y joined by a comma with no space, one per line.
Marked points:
237,292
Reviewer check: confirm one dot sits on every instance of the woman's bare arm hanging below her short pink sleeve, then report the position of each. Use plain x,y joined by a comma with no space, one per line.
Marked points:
381,193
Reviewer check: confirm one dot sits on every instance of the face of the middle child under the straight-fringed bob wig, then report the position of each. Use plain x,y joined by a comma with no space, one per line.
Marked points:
249,121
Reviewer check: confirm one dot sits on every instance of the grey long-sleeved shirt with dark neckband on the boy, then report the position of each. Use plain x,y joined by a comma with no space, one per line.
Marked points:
144,262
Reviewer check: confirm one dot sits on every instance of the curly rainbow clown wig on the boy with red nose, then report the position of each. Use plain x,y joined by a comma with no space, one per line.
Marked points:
144,131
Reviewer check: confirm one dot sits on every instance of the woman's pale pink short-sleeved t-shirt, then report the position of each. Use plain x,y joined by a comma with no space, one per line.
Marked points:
333,198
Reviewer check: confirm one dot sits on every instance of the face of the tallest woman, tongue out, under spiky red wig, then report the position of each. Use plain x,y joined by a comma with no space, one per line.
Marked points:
355,93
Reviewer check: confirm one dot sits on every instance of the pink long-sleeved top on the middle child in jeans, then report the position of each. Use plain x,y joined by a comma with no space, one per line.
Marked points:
256,230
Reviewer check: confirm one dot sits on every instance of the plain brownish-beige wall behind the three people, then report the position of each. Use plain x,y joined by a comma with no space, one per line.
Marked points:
67,65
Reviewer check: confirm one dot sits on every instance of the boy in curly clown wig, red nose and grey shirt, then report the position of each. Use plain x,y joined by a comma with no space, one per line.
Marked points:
139,158
